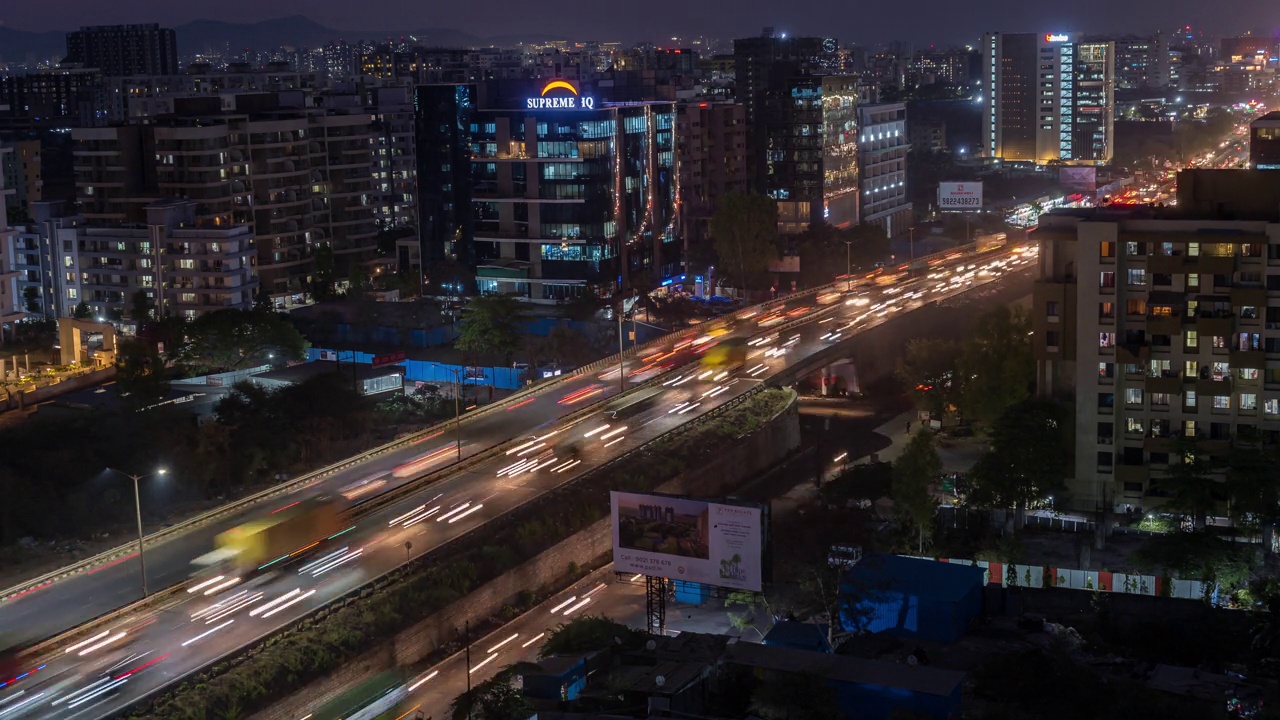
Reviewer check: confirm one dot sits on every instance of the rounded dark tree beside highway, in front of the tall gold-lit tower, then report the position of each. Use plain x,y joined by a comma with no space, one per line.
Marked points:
744,233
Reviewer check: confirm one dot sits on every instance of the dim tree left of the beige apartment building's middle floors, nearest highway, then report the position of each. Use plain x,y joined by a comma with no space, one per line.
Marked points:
998,364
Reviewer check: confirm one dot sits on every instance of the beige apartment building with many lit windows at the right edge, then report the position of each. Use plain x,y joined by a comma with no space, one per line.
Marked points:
1163,325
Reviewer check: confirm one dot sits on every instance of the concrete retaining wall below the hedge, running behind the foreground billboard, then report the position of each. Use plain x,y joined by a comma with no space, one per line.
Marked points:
753,455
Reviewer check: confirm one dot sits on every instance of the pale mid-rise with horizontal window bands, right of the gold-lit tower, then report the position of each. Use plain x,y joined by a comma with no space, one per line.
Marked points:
883,151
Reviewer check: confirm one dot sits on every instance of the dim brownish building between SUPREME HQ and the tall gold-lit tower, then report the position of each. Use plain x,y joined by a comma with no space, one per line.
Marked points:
714,161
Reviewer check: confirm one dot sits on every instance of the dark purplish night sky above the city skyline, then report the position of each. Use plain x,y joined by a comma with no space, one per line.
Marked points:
862,21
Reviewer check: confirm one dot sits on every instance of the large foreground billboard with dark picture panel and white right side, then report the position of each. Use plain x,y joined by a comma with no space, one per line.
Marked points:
683,539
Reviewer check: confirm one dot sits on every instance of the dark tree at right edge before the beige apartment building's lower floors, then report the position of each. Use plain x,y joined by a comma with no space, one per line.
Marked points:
1254,486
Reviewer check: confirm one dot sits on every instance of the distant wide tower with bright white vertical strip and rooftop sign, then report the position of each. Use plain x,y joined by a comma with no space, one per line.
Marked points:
1048,98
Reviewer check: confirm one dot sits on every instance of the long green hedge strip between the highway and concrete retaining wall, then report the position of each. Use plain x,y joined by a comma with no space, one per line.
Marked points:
323,642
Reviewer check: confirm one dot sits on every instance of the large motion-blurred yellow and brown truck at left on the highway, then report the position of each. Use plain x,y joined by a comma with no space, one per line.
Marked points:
282,536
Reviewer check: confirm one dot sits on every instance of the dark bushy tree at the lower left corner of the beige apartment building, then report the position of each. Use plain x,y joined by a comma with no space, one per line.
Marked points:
1028,461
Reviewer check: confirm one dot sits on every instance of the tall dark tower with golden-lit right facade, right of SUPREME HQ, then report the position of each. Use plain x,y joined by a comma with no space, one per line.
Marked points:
803,129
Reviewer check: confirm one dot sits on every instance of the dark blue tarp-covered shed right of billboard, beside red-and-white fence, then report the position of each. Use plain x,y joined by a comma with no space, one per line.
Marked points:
911,598
